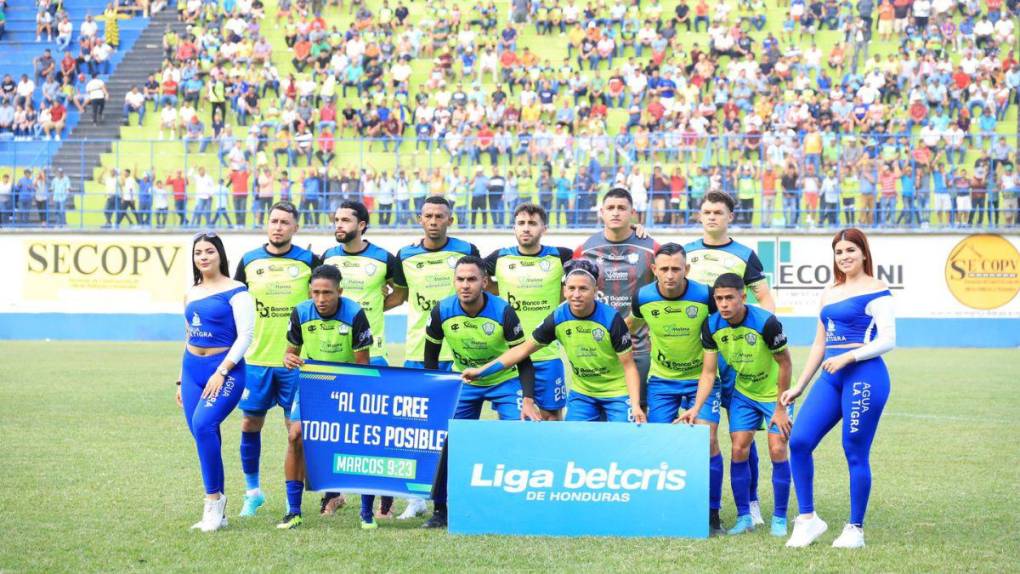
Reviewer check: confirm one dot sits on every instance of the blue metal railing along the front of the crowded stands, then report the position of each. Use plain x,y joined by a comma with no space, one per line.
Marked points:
394,176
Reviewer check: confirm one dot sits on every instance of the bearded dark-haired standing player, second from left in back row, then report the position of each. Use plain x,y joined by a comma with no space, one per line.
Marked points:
369,273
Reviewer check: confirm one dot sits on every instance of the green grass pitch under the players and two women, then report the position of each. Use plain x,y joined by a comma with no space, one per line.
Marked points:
100,475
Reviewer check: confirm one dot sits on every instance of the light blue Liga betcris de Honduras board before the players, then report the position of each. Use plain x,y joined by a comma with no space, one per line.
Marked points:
579,479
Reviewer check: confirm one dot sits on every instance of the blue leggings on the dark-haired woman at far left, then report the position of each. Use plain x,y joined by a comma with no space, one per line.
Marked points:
205,416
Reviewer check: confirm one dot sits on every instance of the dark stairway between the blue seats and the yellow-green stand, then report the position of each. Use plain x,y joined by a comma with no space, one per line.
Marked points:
80,155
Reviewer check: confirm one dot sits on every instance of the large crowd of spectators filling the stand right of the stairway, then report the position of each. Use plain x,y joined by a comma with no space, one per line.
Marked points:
798,135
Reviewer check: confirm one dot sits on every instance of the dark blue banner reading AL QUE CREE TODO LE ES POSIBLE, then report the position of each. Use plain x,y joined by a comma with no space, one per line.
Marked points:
375,431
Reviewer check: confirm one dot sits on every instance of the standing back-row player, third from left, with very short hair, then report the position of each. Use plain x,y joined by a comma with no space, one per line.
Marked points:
426,276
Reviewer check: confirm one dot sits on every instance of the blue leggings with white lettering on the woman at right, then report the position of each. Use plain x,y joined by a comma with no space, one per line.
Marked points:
857,395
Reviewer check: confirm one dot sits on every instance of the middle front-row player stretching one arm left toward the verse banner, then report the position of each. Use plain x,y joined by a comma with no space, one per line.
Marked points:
595,338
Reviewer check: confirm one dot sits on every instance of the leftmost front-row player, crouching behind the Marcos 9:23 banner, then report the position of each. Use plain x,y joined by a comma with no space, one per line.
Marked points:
328,328
